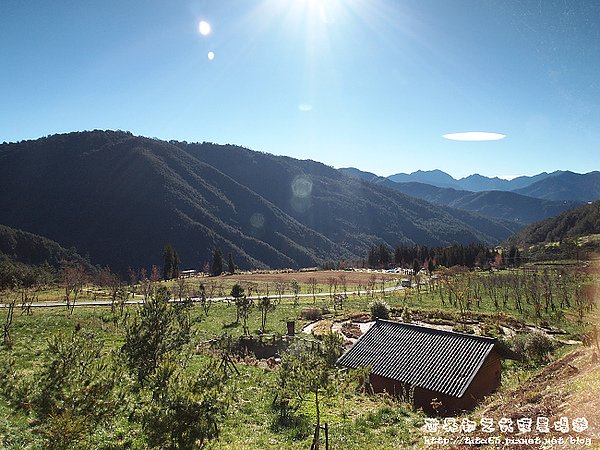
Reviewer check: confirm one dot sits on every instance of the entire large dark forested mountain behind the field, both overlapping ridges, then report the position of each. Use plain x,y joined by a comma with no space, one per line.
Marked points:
120,198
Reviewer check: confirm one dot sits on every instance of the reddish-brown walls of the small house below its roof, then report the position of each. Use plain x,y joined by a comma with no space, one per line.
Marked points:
485,382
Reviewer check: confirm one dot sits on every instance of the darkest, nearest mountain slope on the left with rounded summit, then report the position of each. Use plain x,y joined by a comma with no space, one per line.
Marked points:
120,198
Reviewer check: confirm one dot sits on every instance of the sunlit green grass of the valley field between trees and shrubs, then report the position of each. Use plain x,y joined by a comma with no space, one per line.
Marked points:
356,420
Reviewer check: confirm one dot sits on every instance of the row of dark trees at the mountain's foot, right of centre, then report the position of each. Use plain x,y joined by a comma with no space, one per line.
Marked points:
472,255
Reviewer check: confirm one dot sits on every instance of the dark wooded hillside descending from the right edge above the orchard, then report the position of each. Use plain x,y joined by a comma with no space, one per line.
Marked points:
581,221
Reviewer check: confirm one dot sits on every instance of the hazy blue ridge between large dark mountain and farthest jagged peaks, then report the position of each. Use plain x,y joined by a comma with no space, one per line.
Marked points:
504,205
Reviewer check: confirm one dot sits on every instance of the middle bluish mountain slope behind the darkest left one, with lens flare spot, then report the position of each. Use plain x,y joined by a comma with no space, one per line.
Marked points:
345,209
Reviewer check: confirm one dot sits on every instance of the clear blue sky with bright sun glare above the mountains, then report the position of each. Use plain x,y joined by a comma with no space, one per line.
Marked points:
372,84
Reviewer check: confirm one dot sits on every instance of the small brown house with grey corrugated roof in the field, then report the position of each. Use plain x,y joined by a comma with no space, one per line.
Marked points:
442,372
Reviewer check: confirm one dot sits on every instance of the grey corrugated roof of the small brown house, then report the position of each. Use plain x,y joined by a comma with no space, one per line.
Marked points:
442,361
